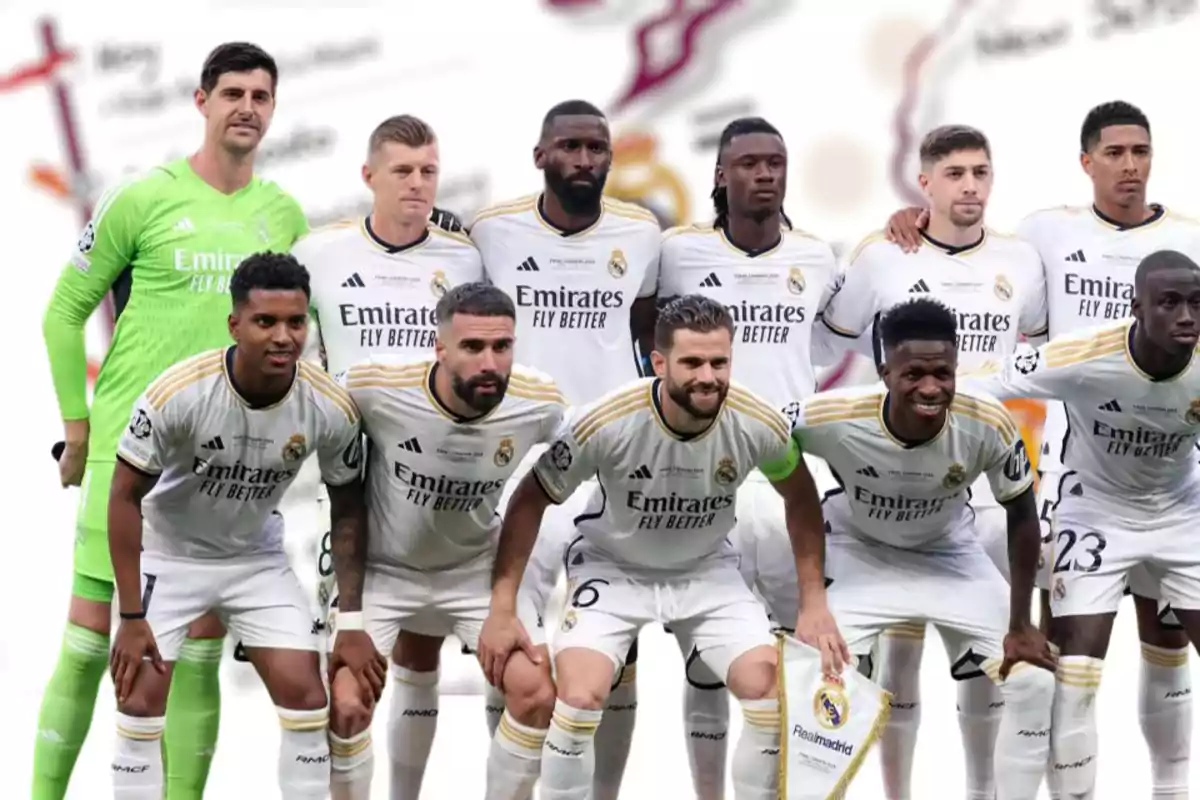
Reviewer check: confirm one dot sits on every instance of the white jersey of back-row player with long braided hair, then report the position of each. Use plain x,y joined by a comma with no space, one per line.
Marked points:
775,298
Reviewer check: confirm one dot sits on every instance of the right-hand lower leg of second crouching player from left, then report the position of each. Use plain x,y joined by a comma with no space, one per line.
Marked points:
514,761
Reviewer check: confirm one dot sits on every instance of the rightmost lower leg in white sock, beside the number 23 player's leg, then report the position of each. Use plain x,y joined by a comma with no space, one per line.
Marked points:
1165,700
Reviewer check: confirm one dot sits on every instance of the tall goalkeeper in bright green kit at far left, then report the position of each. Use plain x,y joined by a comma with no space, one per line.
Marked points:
166,244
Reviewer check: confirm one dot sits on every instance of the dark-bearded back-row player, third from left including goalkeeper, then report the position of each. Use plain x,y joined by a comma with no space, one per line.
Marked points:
584,272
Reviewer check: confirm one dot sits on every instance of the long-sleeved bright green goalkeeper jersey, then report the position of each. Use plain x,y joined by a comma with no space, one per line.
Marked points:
166,244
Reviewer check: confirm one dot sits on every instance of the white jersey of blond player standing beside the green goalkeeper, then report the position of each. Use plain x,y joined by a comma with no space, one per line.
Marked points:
369,297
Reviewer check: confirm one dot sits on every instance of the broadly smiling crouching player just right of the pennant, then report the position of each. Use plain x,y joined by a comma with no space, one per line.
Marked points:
903,543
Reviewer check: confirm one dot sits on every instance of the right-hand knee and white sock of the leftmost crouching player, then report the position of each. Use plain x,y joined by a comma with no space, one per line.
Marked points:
293,681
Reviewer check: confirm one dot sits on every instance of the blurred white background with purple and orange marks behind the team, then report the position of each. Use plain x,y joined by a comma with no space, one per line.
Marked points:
91,93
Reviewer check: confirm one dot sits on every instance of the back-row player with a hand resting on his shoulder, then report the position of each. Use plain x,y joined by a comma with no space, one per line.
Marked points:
995,287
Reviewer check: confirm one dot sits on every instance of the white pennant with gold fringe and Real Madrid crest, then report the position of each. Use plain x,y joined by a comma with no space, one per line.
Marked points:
829,725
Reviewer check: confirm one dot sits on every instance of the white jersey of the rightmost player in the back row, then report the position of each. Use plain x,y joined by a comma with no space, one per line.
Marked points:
1090,262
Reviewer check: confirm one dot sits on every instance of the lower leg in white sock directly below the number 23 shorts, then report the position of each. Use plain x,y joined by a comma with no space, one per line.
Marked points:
1075,743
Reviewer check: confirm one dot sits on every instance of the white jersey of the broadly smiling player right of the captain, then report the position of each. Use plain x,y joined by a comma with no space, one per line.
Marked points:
903,496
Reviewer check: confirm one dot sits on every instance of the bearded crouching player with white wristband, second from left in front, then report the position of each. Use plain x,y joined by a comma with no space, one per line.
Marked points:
446,434
